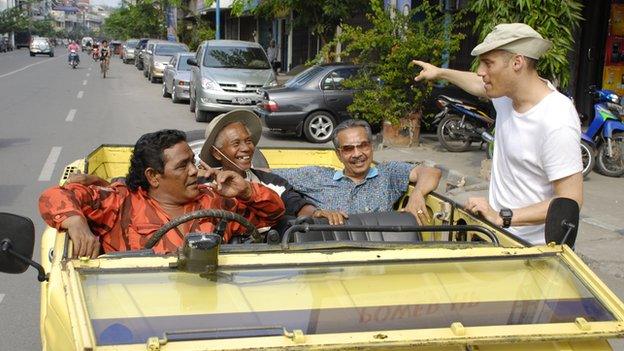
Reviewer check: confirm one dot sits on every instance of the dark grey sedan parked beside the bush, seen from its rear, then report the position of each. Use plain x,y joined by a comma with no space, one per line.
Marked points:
310,104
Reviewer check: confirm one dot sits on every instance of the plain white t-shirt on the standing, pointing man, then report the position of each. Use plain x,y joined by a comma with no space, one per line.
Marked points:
532,150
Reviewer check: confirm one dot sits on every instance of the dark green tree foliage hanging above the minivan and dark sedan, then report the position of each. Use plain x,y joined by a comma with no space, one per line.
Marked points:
322,16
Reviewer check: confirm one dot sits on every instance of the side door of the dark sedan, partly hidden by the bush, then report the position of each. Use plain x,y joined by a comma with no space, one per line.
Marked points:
335,95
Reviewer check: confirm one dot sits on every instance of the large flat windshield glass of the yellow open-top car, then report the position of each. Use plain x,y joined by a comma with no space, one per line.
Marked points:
340,298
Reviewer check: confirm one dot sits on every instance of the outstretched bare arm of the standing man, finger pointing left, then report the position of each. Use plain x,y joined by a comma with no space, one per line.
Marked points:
470,82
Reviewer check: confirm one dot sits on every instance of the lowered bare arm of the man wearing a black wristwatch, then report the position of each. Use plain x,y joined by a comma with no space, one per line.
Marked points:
570,187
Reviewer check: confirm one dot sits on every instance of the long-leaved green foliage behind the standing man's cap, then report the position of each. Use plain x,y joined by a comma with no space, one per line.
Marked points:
555,20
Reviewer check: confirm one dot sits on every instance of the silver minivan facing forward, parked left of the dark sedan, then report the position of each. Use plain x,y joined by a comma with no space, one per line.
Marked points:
227,75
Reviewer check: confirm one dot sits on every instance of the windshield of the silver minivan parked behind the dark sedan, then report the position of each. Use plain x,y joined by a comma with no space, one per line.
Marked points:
236,57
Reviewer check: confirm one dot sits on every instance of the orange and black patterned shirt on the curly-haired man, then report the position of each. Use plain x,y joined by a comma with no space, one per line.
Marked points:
125,220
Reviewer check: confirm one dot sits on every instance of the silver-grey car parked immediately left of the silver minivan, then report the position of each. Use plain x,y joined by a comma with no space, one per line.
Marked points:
177,76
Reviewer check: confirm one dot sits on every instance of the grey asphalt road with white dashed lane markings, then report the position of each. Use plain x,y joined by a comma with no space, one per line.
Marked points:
52,115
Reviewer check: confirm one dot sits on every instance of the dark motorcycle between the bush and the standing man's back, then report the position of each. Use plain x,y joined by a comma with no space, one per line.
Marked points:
460,124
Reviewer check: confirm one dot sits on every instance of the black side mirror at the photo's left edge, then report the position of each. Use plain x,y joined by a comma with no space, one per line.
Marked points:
17,236
